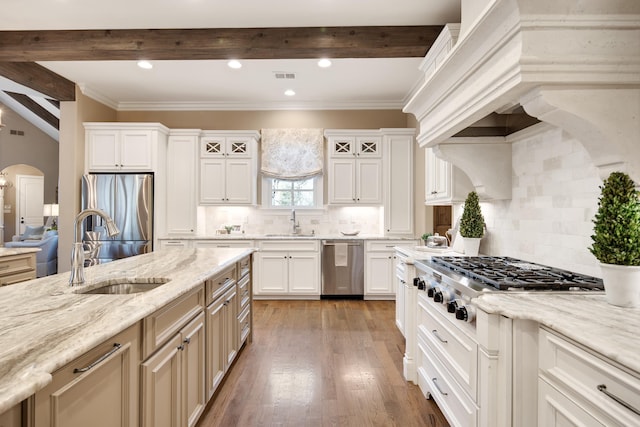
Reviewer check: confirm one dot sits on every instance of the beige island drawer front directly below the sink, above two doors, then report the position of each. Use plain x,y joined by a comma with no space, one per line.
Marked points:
164,323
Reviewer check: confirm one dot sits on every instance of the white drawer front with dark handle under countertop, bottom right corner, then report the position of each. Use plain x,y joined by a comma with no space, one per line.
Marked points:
580,375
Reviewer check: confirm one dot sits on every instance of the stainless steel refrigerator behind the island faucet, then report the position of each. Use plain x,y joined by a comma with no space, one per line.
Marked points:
128,199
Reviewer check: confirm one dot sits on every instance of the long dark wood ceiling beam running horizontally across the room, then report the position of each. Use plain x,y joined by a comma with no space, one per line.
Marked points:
223,43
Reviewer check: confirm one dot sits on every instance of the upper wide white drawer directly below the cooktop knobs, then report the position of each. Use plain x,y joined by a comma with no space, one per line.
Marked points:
457,351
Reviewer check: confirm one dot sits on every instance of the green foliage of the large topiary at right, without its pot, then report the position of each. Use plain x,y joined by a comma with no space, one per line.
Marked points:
616,238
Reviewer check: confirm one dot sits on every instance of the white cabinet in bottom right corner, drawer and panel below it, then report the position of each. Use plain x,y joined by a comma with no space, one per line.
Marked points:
577,387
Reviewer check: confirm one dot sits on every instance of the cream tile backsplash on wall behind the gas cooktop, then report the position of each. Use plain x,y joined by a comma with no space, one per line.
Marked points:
554,198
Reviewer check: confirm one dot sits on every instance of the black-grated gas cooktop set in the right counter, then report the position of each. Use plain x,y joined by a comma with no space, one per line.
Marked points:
505,273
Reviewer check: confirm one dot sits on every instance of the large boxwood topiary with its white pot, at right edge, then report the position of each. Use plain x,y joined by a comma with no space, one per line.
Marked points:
616,239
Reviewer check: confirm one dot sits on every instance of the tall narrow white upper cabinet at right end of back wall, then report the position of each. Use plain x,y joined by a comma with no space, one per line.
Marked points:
398,196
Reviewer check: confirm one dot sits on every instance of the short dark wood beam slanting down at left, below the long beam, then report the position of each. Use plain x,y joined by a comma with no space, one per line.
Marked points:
40,79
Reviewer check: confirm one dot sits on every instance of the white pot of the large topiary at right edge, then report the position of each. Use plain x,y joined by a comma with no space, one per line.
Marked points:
621,284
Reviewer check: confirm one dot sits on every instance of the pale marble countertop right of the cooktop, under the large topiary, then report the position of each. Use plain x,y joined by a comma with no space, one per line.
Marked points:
586,318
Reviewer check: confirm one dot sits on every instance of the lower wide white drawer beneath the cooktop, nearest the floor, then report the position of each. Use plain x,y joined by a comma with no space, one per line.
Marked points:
433,379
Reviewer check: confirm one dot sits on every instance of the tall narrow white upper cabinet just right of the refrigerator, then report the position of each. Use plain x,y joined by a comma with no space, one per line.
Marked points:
182,157
